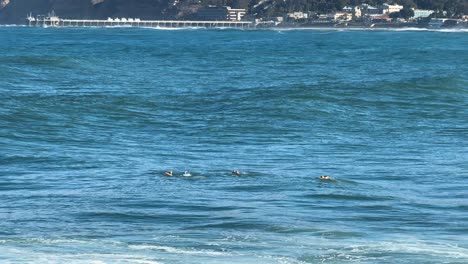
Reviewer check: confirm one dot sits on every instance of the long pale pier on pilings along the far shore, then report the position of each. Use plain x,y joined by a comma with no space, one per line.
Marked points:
55,21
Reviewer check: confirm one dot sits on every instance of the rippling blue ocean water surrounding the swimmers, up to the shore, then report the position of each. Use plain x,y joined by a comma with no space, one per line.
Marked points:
91,118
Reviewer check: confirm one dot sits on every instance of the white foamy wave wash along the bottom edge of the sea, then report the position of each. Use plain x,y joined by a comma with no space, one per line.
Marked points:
363,252
